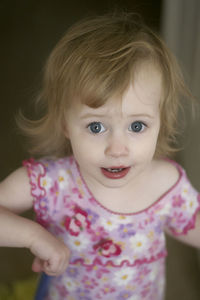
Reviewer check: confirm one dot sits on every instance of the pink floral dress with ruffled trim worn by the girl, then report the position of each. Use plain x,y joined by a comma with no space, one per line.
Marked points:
113,256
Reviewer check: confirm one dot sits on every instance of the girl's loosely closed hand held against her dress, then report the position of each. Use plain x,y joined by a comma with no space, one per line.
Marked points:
52,255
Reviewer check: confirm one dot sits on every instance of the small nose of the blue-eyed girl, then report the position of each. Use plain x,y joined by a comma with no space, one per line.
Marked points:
117,147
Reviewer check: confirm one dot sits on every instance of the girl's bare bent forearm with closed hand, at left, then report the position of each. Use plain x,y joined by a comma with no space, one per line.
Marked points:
51,254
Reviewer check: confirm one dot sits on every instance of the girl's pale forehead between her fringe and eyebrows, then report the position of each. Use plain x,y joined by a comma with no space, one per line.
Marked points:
142,96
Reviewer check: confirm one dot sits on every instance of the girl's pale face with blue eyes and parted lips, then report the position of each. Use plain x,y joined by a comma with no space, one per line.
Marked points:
115,143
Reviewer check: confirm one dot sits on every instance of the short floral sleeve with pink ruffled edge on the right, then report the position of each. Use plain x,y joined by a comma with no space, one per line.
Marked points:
184,206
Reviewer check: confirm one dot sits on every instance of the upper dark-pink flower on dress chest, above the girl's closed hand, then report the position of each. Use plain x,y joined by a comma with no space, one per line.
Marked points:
78,222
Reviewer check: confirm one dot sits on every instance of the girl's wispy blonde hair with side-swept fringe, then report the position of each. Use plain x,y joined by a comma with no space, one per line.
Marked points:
96,59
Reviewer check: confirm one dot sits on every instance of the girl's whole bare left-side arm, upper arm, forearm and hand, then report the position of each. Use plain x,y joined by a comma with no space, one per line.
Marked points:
15,231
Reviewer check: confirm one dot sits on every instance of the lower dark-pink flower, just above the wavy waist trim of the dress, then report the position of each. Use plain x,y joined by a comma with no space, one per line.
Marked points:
107,248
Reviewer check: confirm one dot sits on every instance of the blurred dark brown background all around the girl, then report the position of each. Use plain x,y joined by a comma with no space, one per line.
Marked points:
29,31
